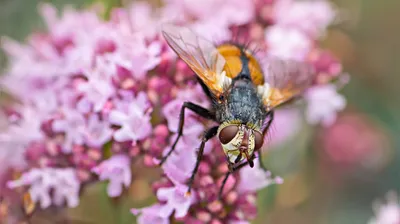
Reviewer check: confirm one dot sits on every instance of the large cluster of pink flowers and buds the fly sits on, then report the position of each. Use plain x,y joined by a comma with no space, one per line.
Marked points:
94,95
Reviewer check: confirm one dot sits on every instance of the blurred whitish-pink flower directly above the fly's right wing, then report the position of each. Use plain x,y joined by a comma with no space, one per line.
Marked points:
287,43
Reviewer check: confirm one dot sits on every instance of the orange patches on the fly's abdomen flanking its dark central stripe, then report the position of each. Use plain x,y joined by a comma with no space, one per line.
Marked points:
234,64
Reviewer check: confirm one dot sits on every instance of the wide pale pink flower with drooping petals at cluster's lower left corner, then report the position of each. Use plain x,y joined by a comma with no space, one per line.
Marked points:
63,182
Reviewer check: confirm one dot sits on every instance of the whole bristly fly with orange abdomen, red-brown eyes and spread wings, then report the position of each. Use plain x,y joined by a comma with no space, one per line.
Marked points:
243,96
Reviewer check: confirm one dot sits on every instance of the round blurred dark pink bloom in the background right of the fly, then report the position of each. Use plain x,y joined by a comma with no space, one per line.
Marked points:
355,139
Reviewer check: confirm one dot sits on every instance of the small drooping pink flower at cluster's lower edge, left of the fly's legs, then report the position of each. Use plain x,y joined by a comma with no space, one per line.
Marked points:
117,170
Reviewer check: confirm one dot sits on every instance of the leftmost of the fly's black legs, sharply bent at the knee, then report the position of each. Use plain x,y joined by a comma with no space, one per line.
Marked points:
196,109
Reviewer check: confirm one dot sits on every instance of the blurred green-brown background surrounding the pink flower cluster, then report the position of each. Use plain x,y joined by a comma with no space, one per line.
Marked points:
318,189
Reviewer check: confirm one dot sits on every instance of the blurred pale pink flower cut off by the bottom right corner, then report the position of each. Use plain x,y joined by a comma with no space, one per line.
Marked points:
387,212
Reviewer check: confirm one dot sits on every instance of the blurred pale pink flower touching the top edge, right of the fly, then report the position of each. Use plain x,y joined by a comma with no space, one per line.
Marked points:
311,17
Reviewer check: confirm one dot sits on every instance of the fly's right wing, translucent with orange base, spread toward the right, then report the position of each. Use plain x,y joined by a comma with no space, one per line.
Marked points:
284,80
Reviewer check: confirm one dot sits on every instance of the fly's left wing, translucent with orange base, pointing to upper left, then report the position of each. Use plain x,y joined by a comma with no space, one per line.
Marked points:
200,55
